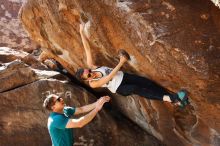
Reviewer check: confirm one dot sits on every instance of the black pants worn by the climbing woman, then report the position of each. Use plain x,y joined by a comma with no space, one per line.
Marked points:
134,84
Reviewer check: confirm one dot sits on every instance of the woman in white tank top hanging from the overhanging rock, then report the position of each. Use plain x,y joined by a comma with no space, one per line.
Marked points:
124,83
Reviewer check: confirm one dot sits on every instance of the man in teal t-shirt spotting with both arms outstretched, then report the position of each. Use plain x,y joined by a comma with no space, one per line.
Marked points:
60,124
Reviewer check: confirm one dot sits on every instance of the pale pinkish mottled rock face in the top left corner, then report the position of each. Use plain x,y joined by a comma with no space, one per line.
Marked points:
11,32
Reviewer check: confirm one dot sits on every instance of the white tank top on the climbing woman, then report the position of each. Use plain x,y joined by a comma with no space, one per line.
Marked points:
114,83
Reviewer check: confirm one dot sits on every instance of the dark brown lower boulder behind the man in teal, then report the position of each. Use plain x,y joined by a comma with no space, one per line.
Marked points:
23,121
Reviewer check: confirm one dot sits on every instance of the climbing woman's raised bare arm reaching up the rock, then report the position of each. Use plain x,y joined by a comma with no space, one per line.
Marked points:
86,46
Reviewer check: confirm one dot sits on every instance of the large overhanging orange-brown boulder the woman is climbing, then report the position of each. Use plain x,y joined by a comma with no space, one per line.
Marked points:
175,43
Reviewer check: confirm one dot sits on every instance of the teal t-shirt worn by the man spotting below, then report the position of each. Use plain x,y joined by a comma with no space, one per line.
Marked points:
60,135
